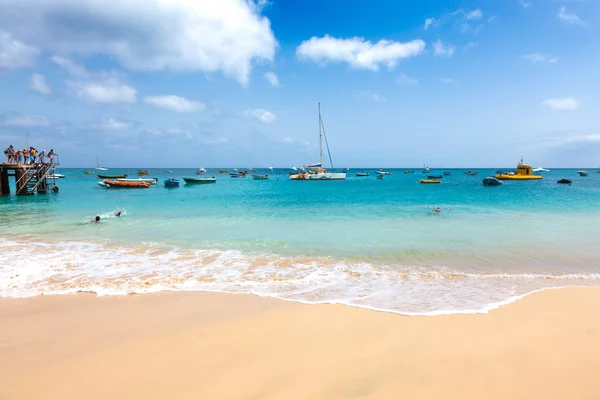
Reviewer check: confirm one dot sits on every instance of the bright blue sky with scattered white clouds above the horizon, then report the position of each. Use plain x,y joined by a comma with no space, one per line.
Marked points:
236,83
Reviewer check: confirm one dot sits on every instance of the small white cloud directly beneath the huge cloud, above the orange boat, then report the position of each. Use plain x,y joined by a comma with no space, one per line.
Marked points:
109,90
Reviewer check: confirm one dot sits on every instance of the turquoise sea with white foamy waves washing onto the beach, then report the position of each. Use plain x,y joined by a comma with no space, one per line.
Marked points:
364,241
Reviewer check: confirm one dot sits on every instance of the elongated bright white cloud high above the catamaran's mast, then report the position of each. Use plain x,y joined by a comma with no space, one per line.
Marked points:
357,52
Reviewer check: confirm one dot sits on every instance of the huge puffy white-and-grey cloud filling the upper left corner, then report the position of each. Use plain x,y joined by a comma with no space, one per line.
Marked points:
210,36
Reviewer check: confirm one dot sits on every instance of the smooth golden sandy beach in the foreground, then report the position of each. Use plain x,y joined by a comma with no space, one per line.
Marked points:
220,346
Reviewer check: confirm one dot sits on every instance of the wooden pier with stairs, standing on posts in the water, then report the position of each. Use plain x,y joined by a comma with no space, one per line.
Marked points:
29,178
